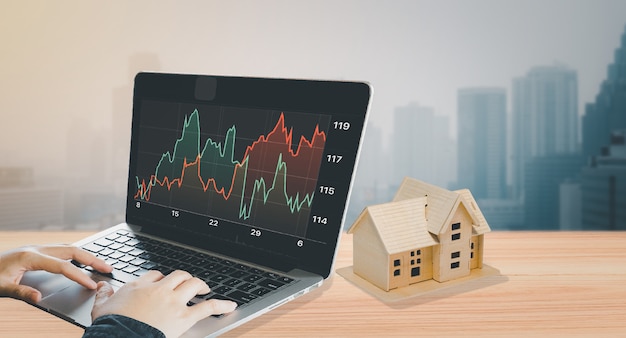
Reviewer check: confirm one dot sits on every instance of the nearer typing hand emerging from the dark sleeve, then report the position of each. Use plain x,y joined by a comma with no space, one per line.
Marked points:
160,301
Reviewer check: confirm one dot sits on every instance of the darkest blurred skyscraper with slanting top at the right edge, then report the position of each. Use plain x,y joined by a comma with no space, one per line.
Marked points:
603,180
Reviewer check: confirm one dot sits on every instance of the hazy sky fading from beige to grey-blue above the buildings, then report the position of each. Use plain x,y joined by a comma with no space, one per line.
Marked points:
62,61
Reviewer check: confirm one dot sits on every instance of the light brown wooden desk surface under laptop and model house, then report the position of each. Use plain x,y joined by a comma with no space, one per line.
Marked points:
552,283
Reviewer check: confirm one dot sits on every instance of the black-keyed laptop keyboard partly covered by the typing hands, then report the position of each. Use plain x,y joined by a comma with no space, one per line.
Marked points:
132,255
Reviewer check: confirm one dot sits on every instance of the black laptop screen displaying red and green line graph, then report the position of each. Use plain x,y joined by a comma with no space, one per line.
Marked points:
256,168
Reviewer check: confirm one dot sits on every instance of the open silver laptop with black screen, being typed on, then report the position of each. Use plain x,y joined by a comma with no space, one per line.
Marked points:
241,181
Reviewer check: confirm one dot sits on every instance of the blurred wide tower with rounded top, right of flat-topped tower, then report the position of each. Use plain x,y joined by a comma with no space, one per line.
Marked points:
545,141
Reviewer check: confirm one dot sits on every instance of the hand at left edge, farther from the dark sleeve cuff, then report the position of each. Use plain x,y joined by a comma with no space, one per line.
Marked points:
51,258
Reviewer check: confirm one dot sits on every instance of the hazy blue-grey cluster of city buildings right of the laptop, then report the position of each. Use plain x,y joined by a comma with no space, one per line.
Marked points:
526,166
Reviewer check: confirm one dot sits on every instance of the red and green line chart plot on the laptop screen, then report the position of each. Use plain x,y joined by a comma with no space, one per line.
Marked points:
253,167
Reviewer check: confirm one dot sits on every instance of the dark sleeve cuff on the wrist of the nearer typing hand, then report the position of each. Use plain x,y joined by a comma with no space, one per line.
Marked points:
114,326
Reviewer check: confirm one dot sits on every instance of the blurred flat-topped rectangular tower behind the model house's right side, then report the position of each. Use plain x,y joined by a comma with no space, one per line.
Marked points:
482,142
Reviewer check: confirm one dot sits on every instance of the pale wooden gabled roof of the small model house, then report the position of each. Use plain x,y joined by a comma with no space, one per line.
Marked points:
418,214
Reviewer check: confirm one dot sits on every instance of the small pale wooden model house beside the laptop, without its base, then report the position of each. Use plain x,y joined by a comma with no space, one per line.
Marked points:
426,232
